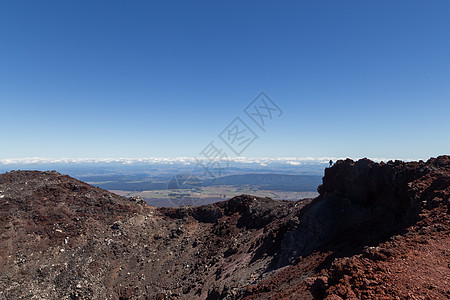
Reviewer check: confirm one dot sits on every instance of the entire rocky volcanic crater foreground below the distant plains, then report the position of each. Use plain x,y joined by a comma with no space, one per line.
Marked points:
377,231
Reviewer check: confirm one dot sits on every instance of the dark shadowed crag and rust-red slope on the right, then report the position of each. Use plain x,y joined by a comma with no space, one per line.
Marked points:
377,231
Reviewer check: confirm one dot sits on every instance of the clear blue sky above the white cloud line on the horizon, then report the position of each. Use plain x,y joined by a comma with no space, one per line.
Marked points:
140,79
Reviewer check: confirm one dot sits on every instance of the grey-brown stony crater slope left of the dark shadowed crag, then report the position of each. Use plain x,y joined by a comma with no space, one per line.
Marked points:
63,239
